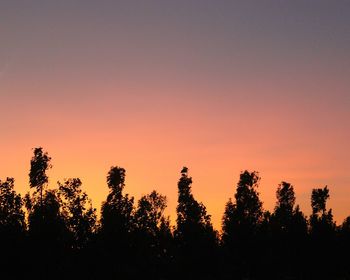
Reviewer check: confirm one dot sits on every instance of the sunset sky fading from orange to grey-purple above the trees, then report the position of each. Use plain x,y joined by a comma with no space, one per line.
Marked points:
152,86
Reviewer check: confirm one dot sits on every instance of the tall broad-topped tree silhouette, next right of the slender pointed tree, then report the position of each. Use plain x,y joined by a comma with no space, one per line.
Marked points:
241,223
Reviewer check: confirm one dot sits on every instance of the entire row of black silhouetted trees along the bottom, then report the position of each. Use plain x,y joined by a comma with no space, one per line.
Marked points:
55,233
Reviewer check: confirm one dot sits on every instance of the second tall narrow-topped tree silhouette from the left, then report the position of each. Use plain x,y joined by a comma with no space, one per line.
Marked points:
117,226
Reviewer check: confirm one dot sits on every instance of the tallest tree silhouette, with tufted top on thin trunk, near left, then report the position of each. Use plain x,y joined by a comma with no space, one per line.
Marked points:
47,231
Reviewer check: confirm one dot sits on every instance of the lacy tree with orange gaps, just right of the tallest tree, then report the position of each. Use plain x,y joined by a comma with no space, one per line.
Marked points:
77,210
